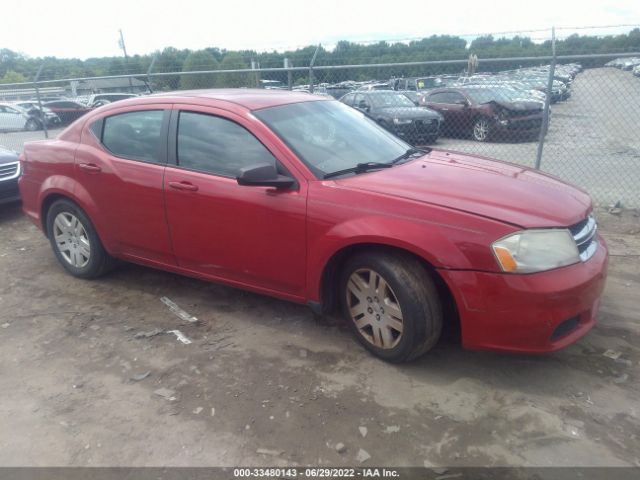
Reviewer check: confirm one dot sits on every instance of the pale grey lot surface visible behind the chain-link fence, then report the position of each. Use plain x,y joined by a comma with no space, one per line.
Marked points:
593,138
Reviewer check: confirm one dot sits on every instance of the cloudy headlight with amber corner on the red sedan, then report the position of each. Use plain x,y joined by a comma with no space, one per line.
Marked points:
531,251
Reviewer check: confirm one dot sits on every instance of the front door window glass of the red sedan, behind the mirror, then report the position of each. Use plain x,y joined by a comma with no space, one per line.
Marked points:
215,145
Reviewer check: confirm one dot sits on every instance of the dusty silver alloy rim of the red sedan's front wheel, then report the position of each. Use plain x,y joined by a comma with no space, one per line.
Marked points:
374,308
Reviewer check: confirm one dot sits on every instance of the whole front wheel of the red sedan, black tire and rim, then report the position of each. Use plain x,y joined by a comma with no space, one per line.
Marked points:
398,320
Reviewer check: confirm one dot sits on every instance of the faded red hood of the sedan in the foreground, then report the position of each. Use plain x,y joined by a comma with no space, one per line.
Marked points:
502,191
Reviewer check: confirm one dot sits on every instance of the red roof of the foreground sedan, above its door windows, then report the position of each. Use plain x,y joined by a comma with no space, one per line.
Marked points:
251,99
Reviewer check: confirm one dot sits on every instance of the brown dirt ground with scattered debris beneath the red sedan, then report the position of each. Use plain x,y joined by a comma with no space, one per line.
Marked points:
263,375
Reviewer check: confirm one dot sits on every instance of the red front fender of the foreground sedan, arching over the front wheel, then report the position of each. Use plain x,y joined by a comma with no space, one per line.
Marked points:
339,218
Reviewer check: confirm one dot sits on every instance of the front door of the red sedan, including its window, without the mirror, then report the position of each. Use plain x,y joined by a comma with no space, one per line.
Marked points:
250,236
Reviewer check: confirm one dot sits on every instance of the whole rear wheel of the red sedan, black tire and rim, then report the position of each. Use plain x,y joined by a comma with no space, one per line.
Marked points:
75,242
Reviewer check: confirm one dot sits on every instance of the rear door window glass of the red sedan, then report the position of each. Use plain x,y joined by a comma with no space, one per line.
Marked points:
134,135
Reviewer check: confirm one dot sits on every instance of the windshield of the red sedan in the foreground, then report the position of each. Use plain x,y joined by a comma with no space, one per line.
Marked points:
329,136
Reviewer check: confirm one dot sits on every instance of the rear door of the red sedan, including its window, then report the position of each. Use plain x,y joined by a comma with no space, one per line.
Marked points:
120,164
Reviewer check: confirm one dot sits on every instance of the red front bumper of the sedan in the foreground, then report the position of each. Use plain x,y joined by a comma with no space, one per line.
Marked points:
535,313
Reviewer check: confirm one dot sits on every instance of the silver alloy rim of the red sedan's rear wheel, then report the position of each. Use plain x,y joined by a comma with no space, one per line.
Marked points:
71,239
